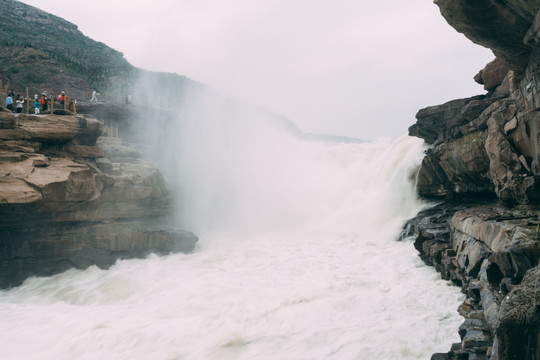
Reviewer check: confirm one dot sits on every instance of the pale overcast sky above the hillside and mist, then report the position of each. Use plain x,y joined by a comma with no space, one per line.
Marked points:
347,67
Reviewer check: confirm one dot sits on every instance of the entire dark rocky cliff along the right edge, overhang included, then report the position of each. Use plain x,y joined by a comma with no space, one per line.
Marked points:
483,162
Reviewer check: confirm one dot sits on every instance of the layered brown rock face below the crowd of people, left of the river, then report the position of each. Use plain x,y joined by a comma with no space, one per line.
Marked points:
71,199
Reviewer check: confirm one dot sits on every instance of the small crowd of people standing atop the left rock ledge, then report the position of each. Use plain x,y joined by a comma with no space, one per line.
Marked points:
41,103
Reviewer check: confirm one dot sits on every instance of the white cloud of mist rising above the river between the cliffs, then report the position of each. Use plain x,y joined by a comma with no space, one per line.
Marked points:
236,168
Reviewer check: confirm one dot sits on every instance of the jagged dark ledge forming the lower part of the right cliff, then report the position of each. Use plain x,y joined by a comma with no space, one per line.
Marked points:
492,252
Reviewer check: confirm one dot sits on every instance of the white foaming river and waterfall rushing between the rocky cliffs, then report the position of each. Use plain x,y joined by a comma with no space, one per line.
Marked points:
297,259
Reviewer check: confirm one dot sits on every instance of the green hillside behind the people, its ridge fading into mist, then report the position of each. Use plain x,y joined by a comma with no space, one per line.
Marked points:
48,54
